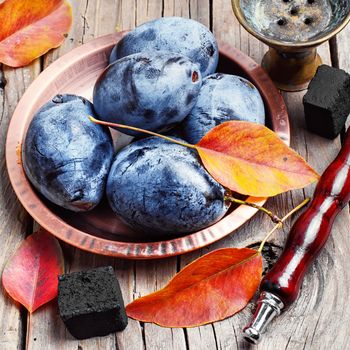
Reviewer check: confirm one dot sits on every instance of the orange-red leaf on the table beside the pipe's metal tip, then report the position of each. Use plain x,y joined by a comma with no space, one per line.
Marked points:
211,288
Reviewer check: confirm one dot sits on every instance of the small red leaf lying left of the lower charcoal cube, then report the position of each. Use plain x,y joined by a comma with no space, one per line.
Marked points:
30,276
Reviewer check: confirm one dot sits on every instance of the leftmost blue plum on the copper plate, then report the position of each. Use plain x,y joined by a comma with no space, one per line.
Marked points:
67,157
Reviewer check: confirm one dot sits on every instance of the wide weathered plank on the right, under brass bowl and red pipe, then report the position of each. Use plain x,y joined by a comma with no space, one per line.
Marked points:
308,324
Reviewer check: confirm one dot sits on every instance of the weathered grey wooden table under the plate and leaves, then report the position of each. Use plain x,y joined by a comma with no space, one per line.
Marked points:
321,317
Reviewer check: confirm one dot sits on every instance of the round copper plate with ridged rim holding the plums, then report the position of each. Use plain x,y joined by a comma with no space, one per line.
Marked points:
99,231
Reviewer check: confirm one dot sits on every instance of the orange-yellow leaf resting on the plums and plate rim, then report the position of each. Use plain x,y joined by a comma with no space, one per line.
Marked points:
251,159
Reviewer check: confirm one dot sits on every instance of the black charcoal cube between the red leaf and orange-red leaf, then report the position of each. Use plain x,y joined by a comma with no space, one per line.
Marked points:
91,303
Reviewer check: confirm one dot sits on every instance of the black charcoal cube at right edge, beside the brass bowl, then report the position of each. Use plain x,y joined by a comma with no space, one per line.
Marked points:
327,101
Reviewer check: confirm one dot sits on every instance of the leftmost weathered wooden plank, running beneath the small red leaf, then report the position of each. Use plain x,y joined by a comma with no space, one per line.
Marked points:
15,223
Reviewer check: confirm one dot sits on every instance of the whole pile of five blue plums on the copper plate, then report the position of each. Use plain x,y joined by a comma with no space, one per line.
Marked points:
161,77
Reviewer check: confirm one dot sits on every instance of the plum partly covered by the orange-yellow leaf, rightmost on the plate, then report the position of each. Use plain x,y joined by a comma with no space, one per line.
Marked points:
223,97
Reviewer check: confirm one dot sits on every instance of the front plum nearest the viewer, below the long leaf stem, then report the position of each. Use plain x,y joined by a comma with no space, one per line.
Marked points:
160,187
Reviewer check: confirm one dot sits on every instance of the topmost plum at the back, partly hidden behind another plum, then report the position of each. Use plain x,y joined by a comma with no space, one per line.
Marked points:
174,34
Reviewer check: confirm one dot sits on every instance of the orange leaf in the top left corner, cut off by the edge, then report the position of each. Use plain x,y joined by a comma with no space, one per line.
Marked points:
30,28
